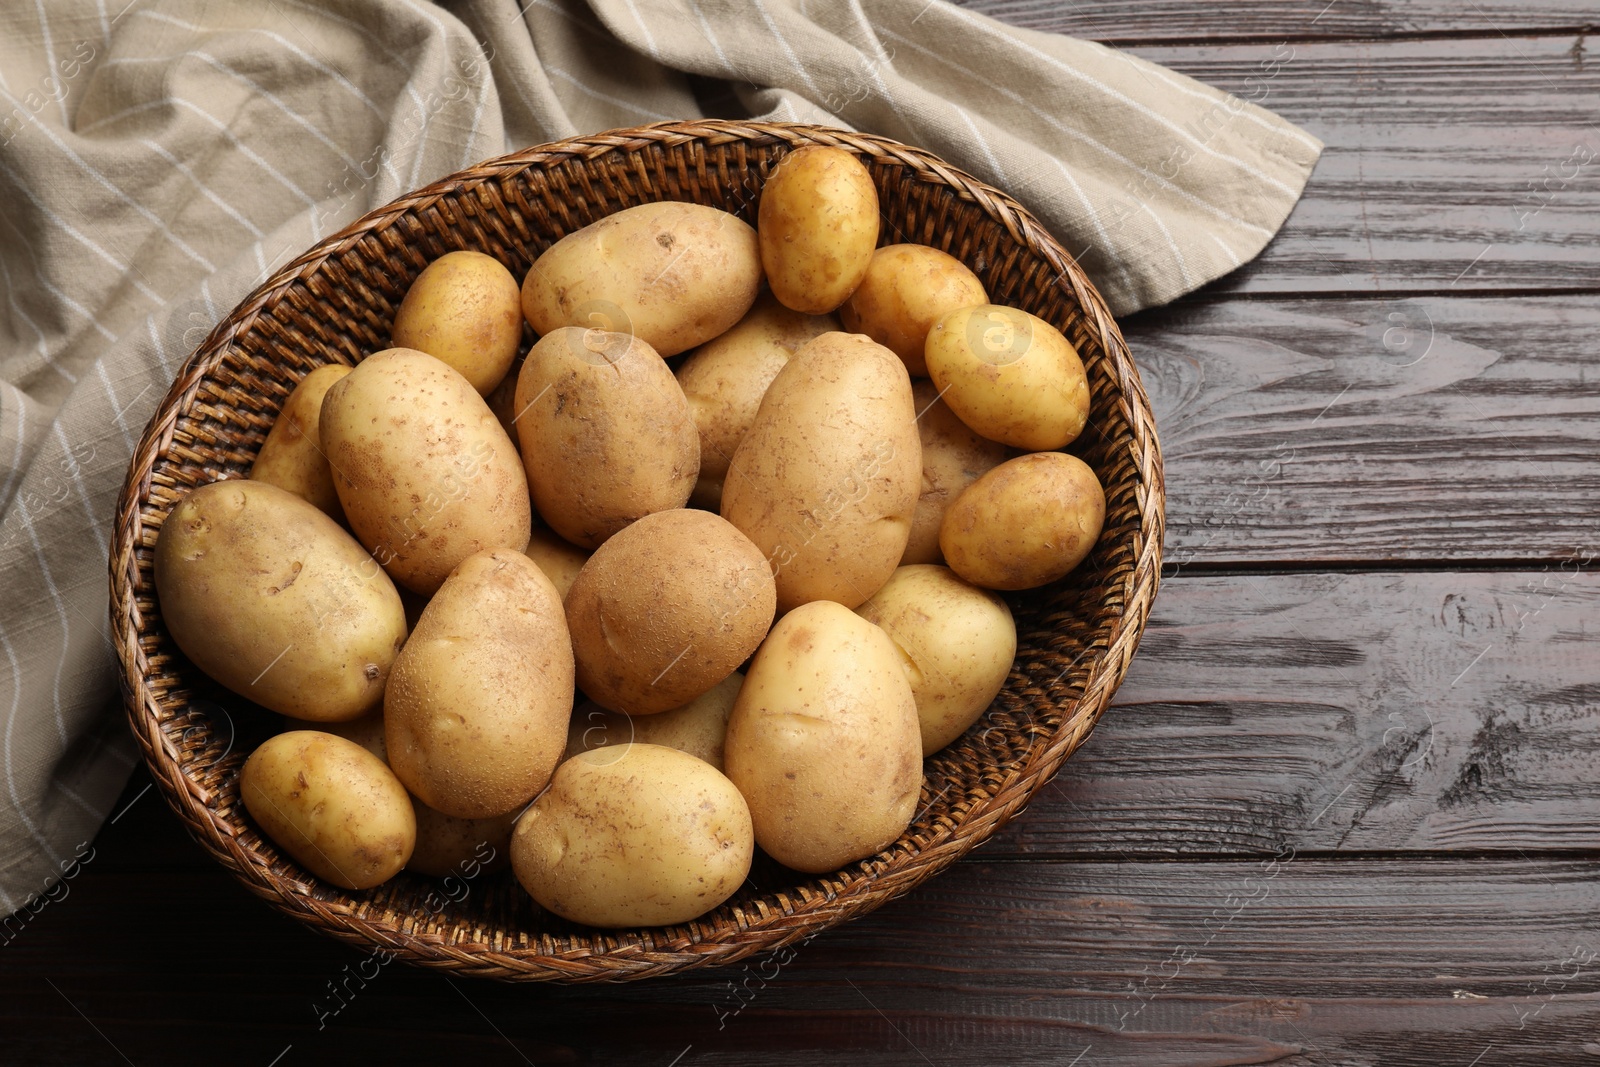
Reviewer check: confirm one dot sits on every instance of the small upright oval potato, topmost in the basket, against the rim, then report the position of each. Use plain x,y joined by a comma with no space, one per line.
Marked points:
818,225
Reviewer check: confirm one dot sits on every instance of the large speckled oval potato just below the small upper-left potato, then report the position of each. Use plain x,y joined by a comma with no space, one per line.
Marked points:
425,473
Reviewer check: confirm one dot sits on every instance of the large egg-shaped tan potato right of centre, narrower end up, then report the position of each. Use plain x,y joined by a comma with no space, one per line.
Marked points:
828,478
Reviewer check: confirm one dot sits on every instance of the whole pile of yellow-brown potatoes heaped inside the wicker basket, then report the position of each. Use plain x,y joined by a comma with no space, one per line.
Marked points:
711,572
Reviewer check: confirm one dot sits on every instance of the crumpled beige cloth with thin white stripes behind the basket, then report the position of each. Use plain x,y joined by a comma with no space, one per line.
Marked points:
162,159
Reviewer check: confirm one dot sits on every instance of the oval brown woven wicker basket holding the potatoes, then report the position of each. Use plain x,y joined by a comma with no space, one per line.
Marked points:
335,305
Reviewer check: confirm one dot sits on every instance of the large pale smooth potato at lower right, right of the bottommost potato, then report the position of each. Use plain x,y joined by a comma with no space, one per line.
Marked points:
825,740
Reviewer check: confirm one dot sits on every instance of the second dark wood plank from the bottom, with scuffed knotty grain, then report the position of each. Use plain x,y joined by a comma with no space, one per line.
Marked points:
1343,713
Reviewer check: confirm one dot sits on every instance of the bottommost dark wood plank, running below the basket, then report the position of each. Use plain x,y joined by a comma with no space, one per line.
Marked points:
1281,961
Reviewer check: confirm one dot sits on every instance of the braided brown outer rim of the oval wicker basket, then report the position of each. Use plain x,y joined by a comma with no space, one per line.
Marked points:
791,919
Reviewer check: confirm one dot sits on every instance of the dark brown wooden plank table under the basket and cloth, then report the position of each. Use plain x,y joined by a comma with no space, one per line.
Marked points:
1346,805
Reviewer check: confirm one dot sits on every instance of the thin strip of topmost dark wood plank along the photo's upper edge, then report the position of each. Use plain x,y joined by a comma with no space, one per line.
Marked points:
1127,22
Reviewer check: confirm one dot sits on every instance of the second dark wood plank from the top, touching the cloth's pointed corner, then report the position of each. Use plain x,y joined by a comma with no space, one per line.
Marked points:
1450,164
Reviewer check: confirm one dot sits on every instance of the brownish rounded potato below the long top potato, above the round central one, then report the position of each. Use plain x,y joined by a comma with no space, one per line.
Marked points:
606,434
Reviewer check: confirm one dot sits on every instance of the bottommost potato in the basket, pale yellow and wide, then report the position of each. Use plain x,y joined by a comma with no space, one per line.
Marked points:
641,837
